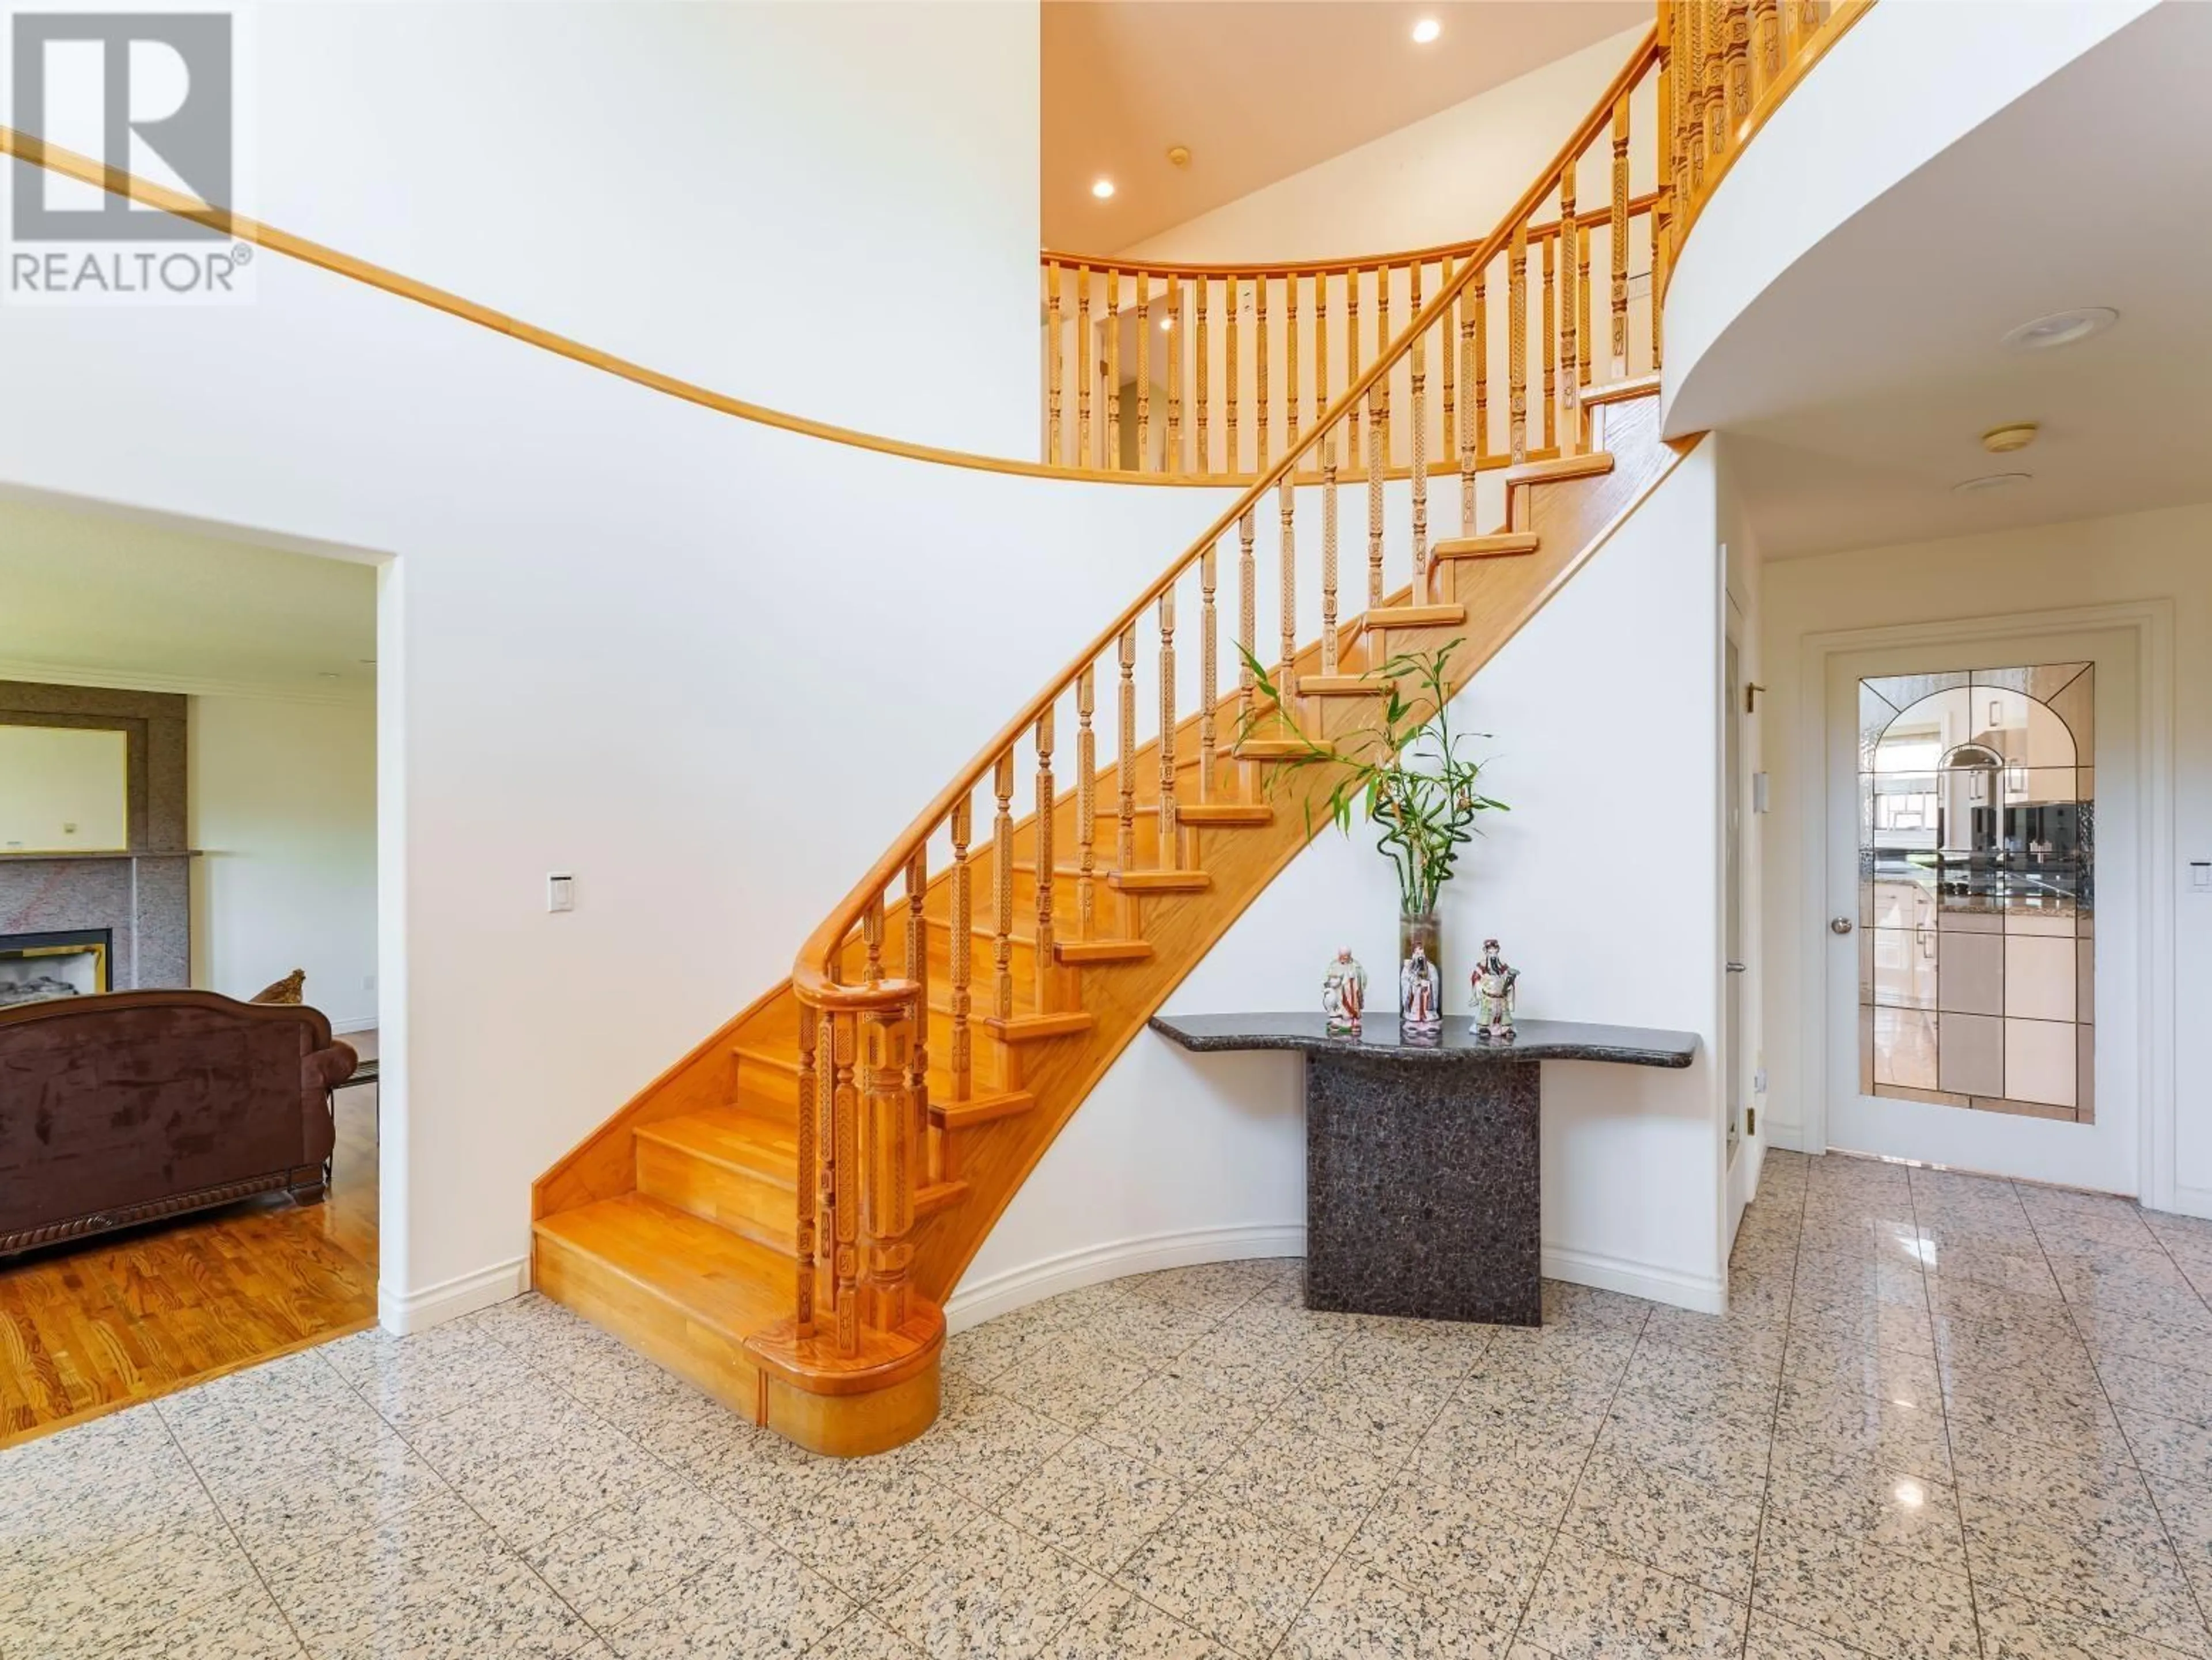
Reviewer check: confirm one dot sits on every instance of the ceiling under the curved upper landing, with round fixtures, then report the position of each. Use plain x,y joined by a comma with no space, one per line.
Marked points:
1864,380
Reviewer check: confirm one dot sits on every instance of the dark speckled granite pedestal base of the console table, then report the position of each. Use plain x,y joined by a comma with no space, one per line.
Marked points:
1423,1190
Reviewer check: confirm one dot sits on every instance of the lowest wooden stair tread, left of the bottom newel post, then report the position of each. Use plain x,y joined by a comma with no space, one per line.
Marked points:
718,1278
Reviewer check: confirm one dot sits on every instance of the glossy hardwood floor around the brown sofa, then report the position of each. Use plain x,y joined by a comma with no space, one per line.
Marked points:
140,1314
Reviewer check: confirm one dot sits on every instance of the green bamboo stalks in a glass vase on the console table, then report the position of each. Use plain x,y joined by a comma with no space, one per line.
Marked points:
1406,776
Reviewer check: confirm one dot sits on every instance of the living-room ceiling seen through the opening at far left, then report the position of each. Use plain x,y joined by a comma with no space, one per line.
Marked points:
123,601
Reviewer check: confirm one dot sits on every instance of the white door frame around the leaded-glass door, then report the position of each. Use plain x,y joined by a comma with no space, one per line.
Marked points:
2153,625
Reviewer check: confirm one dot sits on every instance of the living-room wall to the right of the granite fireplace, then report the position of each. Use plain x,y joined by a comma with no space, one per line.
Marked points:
282,798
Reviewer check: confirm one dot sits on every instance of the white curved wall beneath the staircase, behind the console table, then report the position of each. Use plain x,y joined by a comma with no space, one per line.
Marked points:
1603,886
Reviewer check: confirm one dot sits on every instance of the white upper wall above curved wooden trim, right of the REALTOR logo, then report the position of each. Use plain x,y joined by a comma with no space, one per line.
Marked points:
828,209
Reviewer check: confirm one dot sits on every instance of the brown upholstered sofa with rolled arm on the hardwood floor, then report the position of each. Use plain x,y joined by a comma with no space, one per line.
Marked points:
136,1106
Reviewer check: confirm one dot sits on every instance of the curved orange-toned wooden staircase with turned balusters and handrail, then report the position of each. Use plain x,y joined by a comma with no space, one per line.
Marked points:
784,1214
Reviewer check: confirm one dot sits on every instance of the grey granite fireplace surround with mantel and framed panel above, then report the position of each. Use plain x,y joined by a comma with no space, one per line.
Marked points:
138,898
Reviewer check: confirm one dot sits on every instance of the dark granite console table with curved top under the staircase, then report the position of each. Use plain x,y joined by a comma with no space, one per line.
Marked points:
1421,1163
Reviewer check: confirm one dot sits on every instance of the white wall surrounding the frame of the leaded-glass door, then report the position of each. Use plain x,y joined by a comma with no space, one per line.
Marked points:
2054,568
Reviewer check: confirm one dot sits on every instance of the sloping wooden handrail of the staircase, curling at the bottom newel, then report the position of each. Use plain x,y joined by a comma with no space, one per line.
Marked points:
815,971
